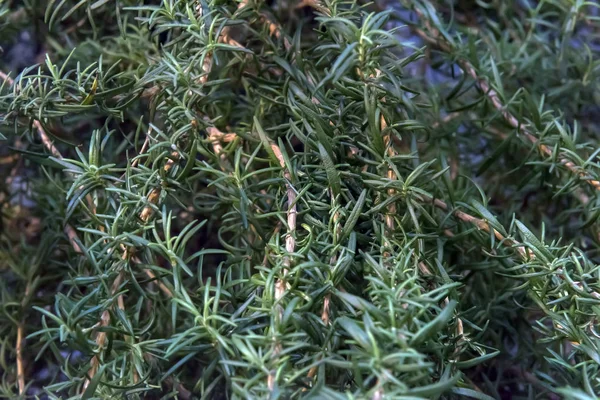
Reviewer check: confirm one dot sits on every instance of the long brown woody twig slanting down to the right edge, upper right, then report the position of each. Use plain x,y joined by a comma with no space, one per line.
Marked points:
437,40
